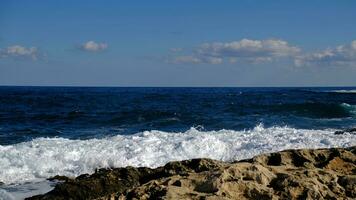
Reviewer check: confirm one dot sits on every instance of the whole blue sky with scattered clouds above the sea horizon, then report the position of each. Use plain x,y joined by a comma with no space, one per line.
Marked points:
178,43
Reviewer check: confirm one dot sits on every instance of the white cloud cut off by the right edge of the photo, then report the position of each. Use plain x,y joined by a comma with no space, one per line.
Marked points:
344,55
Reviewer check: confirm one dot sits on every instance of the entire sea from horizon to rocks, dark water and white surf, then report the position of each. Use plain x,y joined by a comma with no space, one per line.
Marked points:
48,131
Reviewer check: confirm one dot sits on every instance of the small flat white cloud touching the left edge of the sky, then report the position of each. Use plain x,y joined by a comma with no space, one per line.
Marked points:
18,51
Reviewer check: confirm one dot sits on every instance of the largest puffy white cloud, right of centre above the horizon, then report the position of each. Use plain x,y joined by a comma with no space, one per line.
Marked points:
253,51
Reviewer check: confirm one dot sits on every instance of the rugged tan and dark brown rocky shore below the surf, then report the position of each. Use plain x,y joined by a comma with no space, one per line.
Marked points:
290,174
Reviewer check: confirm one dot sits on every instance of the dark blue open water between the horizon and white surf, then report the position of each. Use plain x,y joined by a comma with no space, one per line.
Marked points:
82,112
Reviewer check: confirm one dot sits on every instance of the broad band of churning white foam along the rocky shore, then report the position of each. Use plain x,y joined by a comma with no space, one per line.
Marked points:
46,157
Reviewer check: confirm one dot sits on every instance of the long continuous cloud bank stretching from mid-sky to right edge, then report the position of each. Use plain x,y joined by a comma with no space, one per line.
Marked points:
262,51
